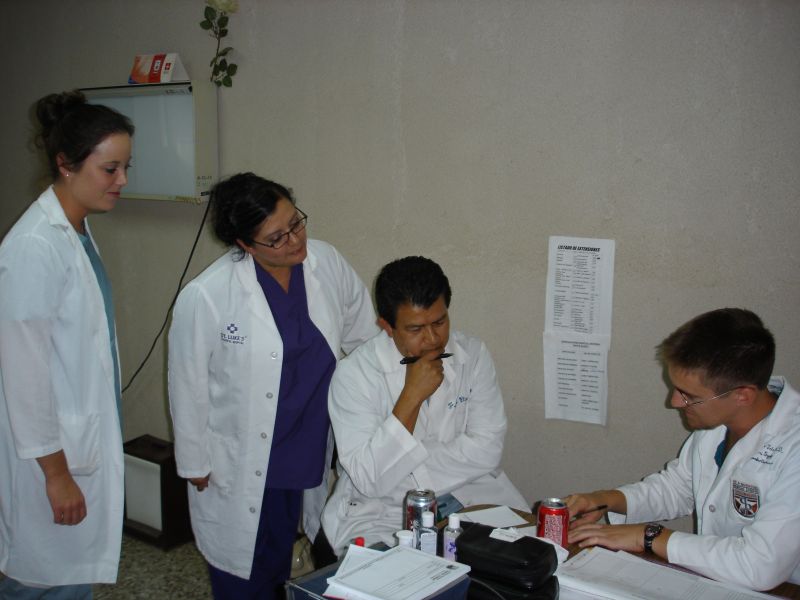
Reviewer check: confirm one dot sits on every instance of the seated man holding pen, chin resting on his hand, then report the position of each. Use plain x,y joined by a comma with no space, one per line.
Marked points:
416,407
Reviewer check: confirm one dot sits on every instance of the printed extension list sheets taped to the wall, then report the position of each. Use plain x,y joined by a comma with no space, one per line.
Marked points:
577,334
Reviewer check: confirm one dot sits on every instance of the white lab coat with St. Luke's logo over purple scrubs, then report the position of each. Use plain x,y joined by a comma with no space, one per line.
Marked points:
225,360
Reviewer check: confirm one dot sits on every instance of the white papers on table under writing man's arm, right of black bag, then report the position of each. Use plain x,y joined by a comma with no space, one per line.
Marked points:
602,573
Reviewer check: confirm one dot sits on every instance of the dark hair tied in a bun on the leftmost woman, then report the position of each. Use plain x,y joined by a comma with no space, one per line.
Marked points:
70,126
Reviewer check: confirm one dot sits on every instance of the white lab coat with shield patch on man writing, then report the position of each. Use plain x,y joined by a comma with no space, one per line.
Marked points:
760,475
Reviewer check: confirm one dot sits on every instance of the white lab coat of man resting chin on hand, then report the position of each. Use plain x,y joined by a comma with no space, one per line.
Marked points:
456,446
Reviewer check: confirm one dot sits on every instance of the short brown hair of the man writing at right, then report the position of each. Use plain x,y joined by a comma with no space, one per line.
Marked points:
728,346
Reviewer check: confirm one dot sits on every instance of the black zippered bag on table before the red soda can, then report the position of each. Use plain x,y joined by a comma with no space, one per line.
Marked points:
524,564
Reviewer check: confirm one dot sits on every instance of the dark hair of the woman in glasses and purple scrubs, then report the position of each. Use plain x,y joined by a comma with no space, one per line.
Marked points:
240,204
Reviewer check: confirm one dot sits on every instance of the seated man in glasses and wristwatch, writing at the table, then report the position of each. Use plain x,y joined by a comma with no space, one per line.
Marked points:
739,471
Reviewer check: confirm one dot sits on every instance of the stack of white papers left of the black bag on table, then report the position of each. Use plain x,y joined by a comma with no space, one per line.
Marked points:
397,574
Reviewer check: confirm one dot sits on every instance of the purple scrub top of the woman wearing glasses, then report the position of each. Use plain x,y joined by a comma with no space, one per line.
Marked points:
299,440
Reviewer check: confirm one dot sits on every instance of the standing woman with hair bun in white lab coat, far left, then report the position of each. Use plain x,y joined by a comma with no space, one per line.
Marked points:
61,464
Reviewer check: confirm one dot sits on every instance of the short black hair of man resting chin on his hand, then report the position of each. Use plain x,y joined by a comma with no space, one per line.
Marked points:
414,280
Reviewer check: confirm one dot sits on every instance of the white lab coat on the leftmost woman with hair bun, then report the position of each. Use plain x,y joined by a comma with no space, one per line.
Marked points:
57,393
